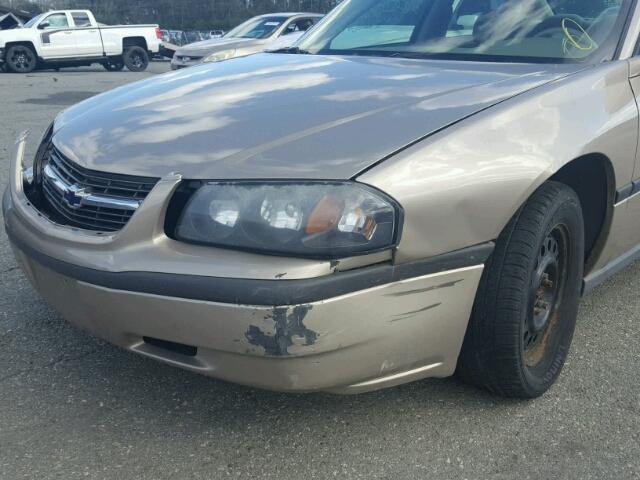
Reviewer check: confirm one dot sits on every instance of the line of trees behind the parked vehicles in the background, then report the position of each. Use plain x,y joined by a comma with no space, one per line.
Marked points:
180,14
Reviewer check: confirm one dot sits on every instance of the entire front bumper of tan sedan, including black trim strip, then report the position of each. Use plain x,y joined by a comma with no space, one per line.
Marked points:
345,332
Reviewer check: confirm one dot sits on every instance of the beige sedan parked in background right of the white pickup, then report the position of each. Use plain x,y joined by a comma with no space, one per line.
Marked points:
253,36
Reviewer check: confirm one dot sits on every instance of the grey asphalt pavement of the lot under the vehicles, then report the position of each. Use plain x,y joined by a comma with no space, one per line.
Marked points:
72,406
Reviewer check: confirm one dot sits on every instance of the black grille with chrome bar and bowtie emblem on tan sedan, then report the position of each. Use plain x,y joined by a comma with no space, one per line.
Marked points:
89,199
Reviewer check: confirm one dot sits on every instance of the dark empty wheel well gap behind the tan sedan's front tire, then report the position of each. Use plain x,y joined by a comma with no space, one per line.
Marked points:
592,177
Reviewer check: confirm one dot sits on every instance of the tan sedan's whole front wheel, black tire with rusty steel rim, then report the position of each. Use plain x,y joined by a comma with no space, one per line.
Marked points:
527,303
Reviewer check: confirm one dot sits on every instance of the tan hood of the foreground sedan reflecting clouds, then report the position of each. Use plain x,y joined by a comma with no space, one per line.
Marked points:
283,116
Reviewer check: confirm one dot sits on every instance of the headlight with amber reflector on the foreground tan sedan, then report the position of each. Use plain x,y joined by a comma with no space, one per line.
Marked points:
315,220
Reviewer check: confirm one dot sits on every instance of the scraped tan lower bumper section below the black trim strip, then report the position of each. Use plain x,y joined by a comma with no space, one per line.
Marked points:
363,341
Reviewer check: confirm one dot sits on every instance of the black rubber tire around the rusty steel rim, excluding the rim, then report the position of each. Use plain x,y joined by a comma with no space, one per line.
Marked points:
492,356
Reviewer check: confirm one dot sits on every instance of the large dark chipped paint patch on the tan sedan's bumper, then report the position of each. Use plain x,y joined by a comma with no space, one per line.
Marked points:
288,323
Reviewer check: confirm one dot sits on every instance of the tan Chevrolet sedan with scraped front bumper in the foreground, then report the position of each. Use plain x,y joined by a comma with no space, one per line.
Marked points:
417,188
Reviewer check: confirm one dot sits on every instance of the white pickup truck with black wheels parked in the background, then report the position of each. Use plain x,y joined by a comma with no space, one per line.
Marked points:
65,38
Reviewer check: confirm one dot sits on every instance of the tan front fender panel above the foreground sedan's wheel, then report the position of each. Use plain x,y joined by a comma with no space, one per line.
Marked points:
461,186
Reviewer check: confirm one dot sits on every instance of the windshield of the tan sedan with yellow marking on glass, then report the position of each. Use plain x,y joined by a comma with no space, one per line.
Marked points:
491,30
